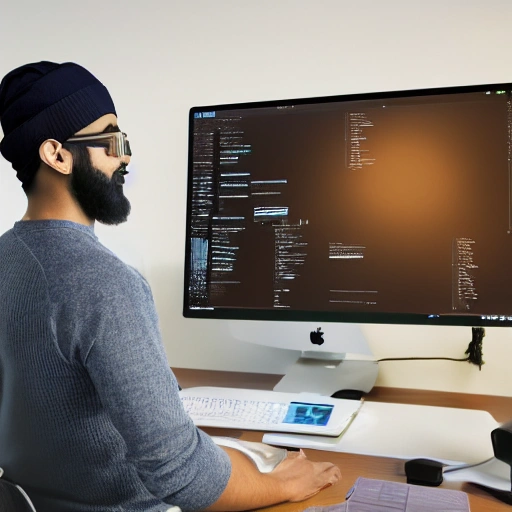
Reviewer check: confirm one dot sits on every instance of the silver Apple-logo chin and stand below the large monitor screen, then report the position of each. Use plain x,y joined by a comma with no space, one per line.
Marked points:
334,359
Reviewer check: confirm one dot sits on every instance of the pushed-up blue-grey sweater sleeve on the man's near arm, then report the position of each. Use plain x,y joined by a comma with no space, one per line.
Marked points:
128,367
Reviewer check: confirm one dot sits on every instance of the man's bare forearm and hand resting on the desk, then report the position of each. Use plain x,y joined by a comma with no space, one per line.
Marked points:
294,479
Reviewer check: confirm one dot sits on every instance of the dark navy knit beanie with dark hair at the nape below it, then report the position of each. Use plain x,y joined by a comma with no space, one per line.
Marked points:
45,100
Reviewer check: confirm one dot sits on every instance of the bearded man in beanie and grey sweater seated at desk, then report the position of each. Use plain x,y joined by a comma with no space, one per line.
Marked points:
90,416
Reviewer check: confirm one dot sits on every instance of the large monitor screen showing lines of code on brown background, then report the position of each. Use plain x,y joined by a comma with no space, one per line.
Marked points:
373,208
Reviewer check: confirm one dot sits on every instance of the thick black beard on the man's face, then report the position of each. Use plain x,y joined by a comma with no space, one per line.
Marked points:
100,197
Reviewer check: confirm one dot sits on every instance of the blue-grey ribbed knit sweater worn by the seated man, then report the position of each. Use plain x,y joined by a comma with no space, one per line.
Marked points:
90,417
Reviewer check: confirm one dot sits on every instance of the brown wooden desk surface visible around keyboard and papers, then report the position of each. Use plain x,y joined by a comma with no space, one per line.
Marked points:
352,466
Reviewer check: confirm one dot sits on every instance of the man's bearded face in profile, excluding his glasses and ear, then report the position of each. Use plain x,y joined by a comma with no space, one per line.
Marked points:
97,178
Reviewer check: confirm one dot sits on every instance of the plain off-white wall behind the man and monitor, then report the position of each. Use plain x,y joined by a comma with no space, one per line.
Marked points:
159,58
